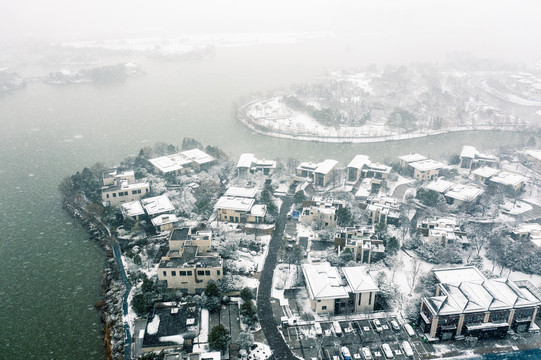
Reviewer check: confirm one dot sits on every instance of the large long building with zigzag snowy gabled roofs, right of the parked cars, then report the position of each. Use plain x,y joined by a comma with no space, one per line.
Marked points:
468,304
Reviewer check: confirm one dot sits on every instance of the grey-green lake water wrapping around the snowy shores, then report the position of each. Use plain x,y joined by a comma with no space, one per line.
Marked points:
50,272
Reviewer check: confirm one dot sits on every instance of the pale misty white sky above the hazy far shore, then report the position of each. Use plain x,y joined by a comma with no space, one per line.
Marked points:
508,29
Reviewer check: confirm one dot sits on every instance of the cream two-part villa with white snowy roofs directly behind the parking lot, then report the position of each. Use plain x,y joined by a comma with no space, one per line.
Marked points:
336,291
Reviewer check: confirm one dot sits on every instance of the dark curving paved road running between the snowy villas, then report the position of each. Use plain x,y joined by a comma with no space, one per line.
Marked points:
270,328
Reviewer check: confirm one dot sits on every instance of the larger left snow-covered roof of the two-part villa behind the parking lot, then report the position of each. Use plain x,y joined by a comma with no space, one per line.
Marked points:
323,281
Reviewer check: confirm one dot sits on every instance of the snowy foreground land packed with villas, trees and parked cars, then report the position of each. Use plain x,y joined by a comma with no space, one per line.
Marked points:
209,257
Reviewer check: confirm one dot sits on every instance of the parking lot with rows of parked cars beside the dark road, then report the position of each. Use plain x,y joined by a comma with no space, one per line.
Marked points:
354,334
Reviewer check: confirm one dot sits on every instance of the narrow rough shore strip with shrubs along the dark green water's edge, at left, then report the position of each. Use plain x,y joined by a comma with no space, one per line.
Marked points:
112,288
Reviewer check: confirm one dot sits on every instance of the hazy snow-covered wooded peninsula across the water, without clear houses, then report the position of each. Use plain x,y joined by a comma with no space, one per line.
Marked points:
394,103
